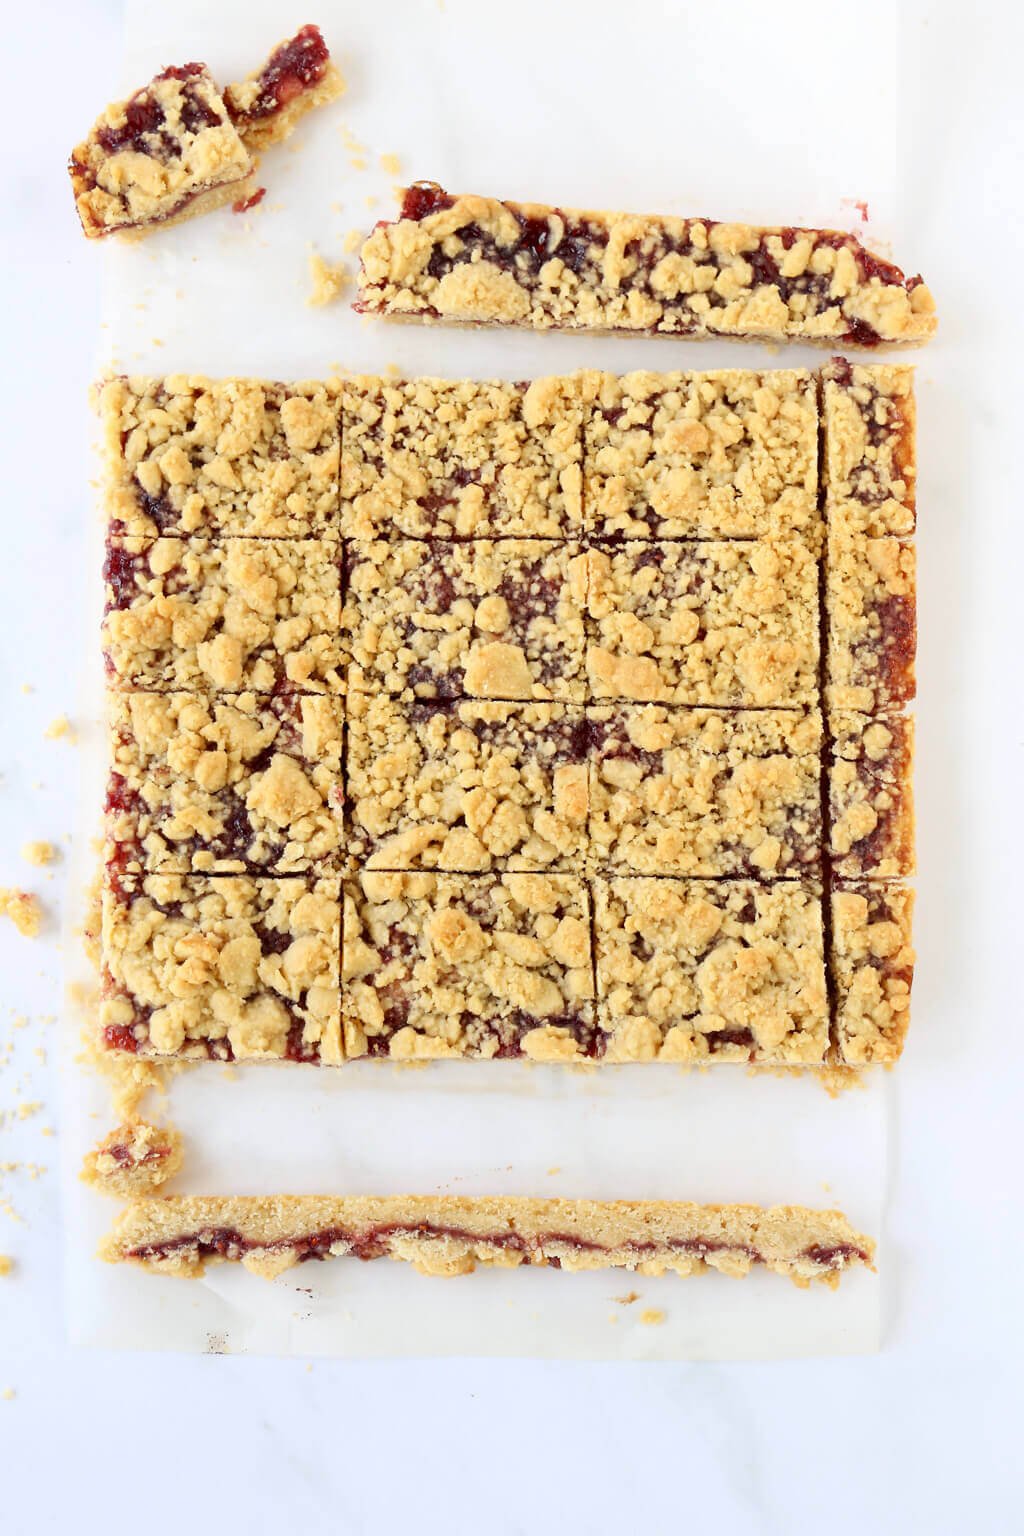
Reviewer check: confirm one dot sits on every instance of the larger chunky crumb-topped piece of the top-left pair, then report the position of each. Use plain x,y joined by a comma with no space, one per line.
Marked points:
168,153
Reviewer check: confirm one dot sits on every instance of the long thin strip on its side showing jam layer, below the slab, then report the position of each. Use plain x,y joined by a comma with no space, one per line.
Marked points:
454,1234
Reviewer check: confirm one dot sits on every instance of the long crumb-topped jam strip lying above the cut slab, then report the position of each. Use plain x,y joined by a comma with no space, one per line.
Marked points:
475,260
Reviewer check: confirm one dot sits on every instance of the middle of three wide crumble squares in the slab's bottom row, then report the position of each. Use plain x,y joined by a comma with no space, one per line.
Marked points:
441,965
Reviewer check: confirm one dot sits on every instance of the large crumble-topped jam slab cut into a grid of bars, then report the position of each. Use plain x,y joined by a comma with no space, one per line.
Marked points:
558,720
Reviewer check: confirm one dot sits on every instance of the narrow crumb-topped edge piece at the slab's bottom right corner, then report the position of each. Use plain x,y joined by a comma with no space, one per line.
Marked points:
873,970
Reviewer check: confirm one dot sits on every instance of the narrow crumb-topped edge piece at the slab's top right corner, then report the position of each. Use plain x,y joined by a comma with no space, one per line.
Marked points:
870,420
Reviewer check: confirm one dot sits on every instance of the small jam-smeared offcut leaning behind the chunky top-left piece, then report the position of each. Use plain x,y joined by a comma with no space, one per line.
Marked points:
297,78
